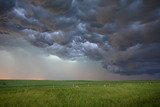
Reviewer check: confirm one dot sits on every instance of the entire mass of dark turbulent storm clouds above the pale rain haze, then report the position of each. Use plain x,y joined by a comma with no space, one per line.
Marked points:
123,35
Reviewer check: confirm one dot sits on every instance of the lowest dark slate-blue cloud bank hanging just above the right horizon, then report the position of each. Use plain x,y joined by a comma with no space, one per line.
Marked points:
138,58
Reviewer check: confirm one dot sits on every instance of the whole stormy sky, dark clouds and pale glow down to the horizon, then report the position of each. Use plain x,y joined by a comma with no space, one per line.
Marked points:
80,39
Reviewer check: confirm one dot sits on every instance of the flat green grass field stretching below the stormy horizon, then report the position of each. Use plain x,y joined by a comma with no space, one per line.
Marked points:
47,93
